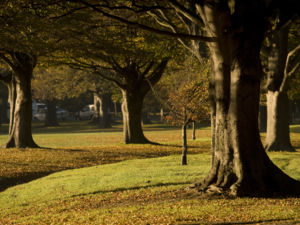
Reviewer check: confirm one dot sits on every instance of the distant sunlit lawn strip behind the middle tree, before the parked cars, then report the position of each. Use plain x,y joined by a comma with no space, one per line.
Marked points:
83,134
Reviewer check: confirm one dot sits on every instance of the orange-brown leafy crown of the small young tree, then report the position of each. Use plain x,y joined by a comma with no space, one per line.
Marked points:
187,91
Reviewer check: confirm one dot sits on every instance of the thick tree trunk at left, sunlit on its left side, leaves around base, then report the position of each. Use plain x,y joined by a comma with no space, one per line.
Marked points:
20,99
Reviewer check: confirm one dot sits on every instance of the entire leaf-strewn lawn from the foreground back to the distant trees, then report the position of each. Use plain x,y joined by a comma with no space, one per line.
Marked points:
139,184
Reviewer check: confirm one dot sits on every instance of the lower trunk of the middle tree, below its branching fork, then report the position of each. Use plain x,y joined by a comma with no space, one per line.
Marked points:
132,114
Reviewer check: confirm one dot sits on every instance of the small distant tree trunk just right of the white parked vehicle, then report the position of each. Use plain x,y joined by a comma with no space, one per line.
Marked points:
101,114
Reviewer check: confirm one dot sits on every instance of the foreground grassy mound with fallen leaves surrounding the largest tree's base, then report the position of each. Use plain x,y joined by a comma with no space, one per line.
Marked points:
140,192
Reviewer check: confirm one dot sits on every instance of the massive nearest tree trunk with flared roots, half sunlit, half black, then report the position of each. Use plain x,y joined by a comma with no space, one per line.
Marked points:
240,166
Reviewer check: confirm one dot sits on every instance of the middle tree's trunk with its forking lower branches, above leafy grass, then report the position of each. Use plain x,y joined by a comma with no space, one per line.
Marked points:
134,86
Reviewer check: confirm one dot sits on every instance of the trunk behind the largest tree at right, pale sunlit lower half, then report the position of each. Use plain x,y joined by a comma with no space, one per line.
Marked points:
278,131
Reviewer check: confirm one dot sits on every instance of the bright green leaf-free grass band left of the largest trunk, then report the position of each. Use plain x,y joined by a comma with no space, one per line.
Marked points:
130,174
